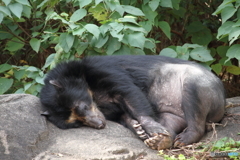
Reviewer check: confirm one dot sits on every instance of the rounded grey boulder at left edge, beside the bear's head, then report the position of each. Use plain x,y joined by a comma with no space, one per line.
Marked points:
21,127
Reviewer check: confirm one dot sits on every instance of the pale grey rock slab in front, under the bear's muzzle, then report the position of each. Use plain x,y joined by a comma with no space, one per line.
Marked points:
112,143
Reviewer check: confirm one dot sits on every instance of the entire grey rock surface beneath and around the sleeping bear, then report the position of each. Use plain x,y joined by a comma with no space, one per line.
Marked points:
25,135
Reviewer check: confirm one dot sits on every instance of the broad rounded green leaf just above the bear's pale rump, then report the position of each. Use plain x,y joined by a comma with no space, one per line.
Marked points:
201,54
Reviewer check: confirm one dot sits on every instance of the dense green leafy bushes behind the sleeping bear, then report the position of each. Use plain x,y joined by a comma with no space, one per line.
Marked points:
37,34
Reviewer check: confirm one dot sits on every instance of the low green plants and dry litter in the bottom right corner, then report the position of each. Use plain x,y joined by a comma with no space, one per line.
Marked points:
226,147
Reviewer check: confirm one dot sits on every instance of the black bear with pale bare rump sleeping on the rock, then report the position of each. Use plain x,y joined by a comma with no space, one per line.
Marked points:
165,101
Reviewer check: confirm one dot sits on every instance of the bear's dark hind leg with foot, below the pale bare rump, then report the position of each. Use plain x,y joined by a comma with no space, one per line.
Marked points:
195,111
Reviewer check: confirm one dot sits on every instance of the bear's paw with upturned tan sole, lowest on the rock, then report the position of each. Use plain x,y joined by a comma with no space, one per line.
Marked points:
159,141
